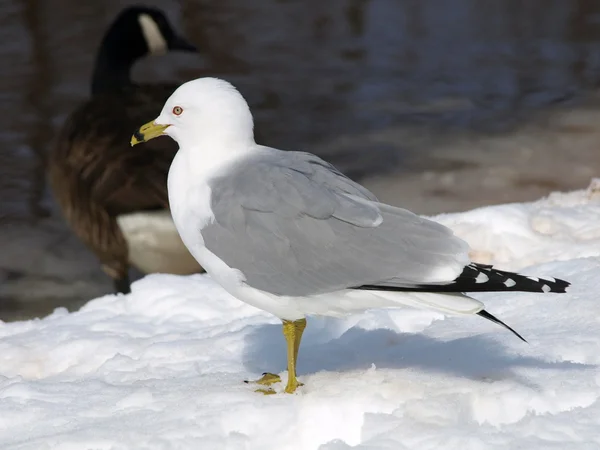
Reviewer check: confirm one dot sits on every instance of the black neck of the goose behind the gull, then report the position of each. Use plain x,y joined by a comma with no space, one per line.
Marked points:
115,59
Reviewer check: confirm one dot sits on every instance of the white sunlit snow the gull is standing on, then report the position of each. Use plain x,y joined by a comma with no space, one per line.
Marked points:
162,368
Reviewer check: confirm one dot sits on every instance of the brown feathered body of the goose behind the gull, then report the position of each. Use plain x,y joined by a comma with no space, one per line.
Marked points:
98,179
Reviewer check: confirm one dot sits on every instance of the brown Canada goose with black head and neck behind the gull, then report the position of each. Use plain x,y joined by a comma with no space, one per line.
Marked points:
110,193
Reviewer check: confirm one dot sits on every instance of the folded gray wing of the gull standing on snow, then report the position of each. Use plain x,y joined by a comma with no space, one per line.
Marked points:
294,225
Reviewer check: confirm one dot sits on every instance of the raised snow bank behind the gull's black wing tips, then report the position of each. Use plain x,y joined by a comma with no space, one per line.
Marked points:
561,227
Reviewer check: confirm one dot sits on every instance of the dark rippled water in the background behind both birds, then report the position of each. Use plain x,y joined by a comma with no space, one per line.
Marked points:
320,76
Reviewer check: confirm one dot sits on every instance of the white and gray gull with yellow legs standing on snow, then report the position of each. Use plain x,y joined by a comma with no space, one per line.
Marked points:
288,233
